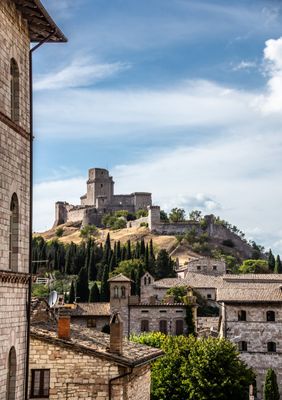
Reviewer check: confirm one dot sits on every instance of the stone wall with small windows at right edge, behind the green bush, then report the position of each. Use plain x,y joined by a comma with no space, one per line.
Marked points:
257,331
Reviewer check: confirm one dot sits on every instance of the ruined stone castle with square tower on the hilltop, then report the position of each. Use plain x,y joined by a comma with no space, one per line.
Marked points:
98,200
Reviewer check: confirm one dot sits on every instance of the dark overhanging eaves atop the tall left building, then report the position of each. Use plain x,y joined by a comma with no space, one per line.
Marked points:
40,24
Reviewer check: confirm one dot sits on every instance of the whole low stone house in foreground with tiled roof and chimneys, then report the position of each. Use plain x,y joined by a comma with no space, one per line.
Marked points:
81,363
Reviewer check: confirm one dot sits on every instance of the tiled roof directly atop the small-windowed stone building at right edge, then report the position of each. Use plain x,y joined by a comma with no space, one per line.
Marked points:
235,294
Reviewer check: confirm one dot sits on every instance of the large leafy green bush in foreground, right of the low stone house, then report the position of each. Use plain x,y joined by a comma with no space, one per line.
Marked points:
191,369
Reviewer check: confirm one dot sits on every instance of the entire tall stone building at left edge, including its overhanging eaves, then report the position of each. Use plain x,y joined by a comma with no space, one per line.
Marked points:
21,22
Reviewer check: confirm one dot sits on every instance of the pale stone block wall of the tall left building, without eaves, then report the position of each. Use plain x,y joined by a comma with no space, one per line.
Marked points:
14,178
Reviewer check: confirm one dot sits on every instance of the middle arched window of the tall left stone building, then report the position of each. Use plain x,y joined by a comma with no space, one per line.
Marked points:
14,233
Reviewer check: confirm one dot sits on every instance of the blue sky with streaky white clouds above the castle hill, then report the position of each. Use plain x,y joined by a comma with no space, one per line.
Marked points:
181,98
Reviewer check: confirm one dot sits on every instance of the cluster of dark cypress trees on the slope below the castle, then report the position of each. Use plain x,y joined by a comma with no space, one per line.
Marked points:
94,262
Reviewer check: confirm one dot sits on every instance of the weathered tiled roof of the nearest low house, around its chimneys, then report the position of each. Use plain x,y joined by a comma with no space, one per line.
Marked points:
97,343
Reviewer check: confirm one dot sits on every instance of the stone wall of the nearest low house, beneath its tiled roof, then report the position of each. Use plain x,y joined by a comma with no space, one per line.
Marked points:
75,375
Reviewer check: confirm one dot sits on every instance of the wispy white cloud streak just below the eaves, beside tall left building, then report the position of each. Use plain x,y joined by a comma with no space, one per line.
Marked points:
81,72
